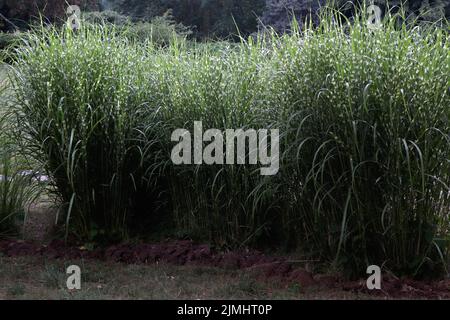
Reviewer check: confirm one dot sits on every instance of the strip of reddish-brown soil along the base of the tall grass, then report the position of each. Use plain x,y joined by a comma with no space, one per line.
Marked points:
189,253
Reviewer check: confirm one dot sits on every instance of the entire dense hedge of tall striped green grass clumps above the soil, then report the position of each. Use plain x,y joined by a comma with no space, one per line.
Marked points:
364,122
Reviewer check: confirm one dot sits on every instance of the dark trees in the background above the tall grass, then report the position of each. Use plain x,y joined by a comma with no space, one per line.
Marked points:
205,18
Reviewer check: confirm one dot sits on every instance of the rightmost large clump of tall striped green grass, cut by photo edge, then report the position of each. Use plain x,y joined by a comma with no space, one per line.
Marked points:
366,124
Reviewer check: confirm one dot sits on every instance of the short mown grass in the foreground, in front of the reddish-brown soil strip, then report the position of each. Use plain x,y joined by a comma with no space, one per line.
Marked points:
39,278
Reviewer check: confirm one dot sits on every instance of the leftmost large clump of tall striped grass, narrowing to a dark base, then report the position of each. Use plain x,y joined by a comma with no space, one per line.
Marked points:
79,105
